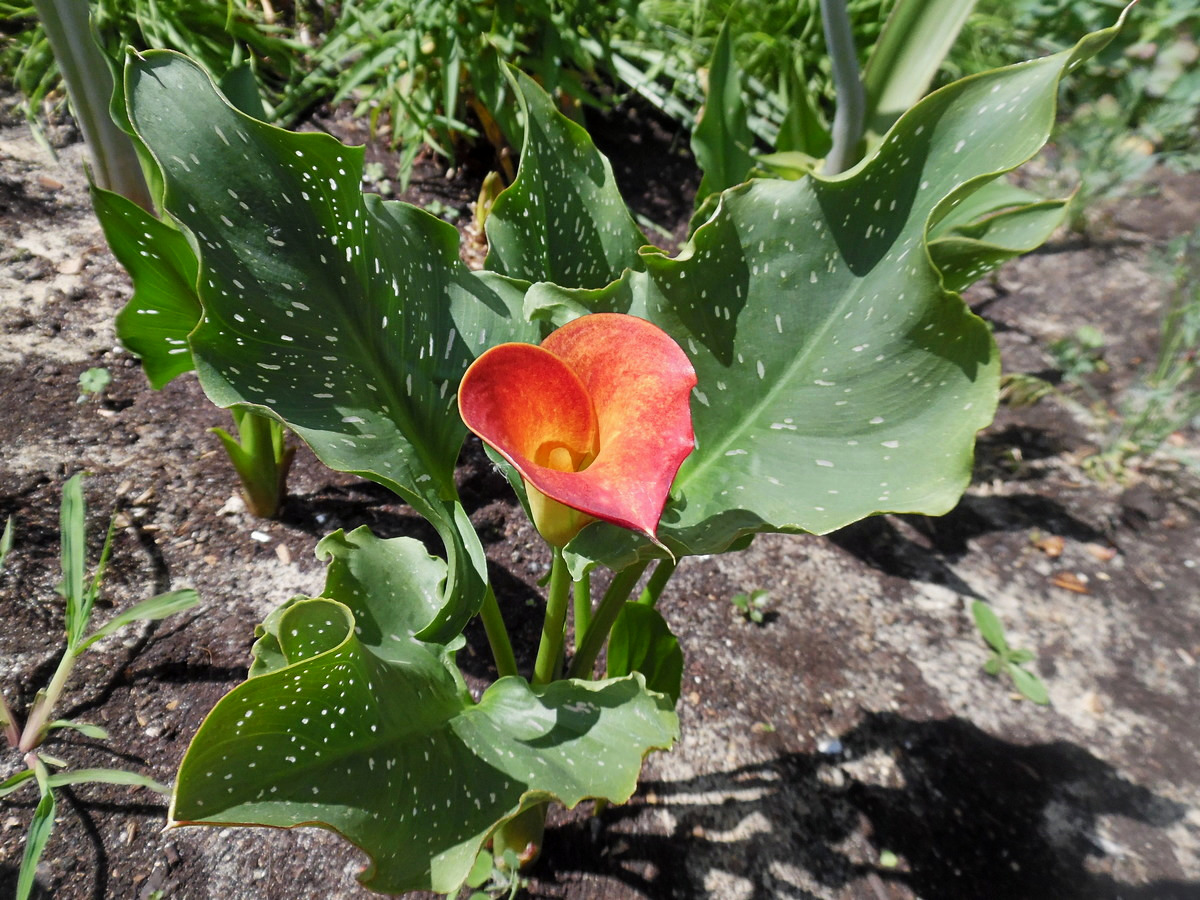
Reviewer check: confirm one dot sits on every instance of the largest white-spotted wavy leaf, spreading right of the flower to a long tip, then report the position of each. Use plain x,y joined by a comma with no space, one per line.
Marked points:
837,377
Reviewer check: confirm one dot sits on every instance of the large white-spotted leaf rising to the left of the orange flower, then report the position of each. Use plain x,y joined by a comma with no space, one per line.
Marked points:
349,319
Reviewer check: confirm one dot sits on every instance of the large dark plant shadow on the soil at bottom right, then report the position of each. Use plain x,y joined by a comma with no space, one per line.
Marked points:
967,814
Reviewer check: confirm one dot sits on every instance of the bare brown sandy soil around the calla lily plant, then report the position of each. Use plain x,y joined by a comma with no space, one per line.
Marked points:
848,747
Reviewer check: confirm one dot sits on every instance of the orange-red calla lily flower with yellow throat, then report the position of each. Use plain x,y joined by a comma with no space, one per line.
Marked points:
597,421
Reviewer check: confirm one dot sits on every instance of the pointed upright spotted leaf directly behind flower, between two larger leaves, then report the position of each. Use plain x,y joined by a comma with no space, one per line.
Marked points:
563,219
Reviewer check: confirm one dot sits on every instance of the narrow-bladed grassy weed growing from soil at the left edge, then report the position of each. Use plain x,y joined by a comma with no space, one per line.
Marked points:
80,592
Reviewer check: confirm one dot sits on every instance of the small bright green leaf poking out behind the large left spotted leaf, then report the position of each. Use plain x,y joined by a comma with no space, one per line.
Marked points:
165,309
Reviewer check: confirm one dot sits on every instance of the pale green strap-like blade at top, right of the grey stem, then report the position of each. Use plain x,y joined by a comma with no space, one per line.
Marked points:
913,45
